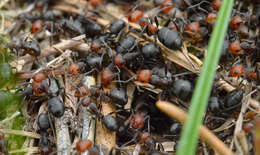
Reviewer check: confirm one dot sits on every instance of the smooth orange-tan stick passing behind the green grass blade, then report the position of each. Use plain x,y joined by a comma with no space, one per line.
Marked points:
205,134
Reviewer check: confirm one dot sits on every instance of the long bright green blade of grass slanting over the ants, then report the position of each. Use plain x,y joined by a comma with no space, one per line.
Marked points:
201,94
